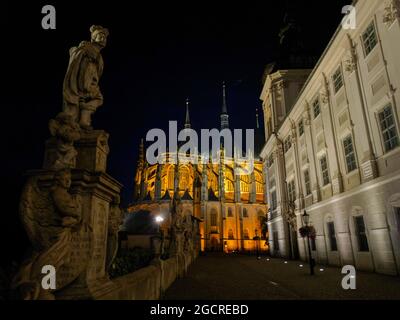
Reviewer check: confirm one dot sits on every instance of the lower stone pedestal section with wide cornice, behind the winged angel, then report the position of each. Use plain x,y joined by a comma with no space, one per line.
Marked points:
98,193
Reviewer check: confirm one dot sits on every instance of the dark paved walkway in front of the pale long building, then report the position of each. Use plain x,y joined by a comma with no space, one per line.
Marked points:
229,277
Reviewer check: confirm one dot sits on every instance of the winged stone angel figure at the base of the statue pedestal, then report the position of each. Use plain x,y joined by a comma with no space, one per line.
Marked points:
53,221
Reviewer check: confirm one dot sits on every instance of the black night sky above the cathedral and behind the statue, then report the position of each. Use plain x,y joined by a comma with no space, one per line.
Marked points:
158,54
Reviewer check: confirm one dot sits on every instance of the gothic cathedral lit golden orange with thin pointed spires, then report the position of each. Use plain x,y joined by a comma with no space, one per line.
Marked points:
231,208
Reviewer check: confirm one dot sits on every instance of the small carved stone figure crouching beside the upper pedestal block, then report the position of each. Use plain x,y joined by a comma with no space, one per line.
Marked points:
66,131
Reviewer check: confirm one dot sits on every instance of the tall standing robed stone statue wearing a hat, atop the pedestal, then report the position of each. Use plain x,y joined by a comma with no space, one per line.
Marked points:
81,89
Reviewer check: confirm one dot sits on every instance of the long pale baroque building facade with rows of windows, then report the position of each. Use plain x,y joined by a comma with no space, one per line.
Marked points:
332,147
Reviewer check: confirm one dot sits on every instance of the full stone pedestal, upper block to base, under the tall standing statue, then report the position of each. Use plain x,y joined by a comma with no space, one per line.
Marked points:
98,193
